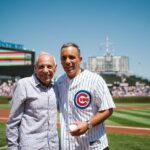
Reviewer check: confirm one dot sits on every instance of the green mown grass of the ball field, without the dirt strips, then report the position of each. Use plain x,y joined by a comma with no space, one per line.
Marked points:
131,117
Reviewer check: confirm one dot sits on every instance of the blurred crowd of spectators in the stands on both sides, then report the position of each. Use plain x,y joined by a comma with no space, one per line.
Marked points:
121,89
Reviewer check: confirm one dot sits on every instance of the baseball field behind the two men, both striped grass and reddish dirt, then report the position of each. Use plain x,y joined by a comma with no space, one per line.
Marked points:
128,128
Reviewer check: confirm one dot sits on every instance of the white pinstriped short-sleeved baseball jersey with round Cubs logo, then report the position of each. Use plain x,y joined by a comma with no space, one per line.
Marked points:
79,99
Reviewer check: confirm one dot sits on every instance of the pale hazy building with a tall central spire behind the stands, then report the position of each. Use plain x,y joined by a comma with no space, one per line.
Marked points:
109,63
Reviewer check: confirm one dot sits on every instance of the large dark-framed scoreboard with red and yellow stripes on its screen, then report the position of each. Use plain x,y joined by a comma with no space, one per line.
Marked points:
16,62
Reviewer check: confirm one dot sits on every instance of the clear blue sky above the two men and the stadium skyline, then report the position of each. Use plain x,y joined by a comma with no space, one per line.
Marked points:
44,25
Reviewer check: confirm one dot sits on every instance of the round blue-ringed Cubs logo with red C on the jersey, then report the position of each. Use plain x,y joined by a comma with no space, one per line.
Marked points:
82,99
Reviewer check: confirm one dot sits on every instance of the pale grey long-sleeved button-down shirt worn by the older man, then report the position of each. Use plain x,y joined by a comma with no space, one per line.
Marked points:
33,117
